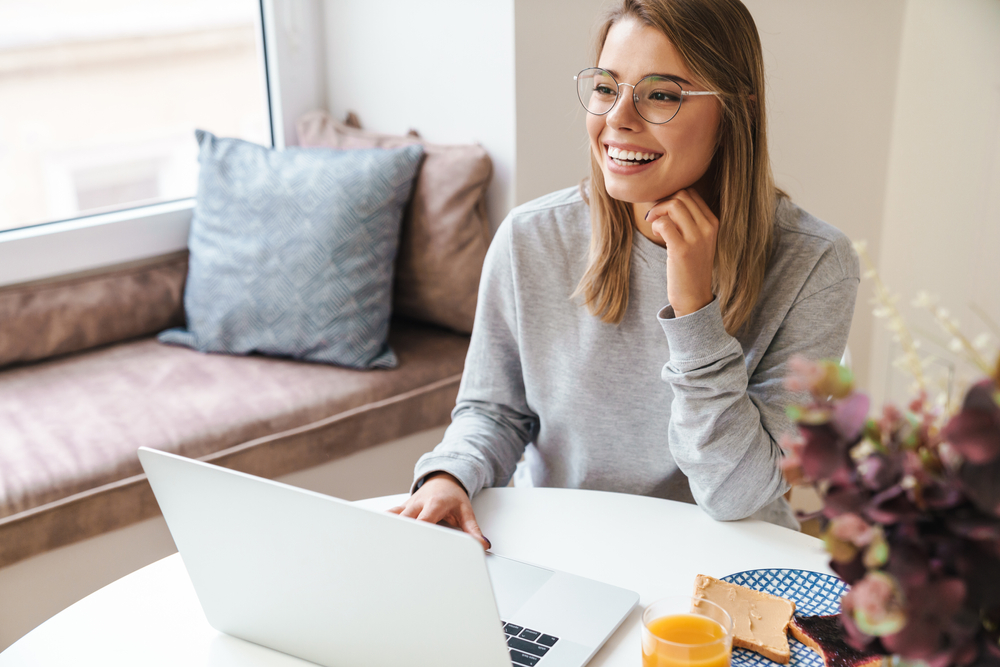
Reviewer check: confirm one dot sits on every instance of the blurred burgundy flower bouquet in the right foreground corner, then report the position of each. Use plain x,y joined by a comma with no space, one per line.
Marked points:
911,510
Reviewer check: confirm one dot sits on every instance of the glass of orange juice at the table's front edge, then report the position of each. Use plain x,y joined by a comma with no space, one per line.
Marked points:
689,641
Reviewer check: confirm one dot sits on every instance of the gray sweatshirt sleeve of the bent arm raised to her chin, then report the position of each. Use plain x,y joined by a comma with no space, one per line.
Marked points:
724,426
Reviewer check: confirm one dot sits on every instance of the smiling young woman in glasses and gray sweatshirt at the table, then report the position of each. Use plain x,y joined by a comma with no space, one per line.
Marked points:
633,334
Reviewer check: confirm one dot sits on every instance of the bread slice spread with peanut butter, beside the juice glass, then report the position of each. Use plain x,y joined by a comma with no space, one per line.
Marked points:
760,620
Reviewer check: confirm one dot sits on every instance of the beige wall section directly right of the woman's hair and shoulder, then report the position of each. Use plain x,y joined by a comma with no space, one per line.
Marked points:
831,72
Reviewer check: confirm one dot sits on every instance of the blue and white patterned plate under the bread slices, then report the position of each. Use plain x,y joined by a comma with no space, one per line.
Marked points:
814,594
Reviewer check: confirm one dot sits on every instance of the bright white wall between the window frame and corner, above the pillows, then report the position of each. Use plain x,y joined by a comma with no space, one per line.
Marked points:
442,67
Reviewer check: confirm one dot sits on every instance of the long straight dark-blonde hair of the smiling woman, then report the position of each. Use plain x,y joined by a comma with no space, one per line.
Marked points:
719,43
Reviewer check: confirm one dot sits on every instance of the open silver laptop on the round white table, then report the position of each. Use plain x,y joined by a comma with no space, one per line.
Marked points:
341,585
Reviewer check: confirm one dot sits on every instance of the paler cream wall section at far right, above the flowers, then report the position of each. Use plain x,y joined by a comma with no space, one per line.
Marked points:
942,210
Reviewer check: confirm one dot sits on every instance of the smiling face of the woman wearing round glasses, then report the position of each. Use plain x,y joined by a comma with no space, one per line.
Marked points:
681,149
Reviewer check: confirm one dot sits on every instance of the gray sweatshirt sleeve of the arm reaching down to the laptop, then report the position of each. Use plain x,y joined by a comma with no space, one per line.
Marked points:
491,422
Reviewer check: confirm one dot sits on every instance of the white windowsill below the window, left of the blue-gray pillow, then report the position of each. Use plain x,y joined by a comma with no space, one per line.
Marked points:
71,246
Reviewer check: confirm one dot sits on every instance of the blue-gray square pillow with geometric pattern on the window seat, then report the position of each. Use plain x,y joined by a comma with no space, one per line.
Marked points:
292,251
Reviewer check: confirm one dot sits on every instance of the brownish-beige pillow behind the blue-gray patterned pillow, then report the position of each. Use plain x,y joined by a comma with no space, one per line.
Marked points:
445,229
